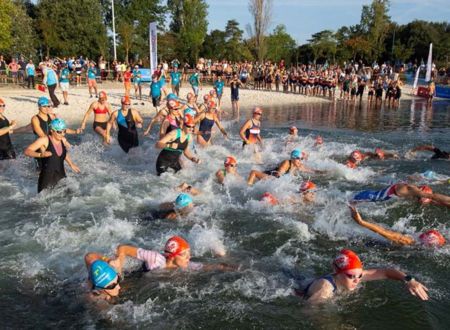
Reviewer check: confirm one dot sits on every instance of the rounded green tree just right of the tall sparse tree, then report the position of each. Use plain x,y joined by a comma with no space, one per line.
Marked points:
280,45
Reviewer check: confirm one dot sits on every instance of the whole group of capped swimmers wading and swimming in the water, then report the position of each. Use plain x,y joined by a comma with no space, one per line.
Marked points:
179,119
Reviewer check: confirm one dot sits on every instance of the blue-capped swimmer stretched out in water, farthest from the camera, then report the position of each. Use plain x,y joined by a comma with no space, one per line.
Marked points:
289,166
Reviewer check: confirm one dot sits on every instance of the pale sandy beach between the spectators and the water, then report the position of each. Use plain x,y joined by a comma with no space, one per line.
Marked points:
22,103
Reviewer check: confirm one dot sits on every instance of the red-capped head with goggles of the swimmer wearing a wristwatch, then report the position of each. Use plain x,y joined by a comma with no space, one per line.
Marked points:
348,268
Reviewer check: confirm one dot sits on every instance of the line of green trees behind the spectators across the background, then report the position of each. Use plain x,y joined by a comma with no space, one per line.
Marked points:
83,27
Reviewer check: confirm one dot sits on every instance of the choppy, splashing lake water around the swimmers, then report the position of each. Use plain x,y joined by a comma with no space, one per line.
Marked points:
44,237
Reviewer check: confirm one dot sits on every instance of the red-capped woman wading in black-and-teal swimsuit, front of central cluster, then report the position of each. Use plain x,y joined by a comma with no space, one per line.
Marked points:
174,144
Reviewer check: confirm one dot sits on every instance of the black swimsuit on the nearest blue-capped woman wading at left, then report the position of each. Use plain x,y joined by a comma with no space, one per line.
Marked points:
52,169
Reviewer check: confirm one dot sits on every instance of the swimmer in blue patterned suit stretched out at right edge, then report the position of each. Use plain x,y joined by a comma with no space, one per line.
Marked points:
423,194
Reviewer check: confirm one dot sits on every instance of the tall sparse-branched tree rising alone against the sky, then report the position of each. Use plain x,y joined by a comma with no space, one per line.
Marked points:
261,11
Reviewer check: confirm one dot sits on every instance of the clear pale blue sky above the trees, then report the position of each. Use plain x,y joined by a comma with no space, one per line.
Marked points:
303,18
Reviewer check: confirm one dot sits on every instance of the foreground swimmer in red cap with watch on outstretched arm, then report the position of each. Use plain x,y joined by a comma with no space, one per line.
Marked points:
348,275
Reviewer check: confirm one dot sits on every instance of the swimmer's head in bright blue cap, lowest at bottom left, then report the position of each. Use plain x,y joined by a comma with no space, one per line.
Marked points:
104,277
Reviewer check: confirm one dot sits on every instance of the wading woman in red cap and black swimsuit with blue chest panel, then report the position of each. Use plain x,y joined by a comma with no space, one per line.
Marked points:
128,120
